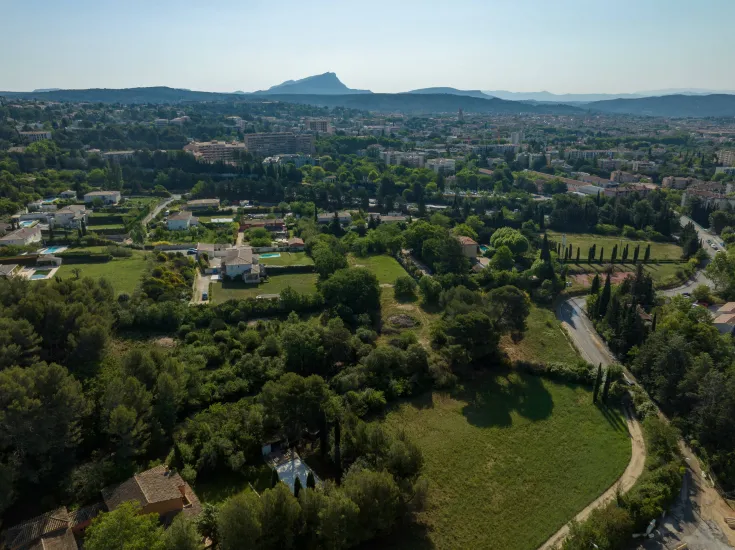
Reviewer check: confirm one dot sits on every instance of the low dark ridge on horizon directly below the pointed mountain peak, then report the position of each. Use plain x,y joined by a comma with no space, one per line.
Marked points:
425,103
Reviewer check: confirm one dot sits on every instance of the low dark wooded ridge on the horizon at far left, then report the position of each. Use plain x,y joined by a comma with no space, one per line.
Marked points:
160,94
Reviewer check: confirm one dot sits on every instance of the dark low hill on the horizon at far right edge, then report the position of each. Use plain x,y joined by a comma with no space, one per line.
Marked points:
718,105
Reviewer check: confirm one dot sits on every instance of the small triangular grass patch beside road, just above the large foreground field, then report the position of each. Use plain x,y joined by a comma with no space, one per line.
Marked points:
543,341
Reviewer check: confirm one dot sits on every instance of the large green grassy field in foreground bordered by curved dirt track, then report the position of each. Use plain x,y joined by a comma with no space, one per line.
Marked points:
510,460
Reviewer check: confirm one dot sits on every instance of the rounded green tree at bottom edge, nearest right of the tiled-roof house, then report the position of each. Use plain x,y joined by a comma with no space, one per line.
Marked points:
240,519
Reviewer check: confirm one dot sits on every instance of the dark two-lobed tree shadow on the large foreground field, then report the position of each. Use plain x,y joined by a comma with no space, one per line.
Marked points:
491,403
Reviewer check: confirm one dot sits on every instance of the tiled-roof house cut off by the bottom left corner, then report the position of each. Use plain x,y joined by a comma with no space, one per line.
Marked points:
51,530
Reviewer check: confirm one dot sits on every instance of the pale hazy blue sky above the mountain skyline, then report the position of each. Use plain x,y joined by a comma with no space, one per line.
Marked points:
563,46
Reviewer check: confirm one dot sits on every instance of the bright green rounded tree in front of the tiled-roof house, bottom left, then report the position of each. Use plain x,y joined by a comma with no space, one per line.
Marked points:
125,529
